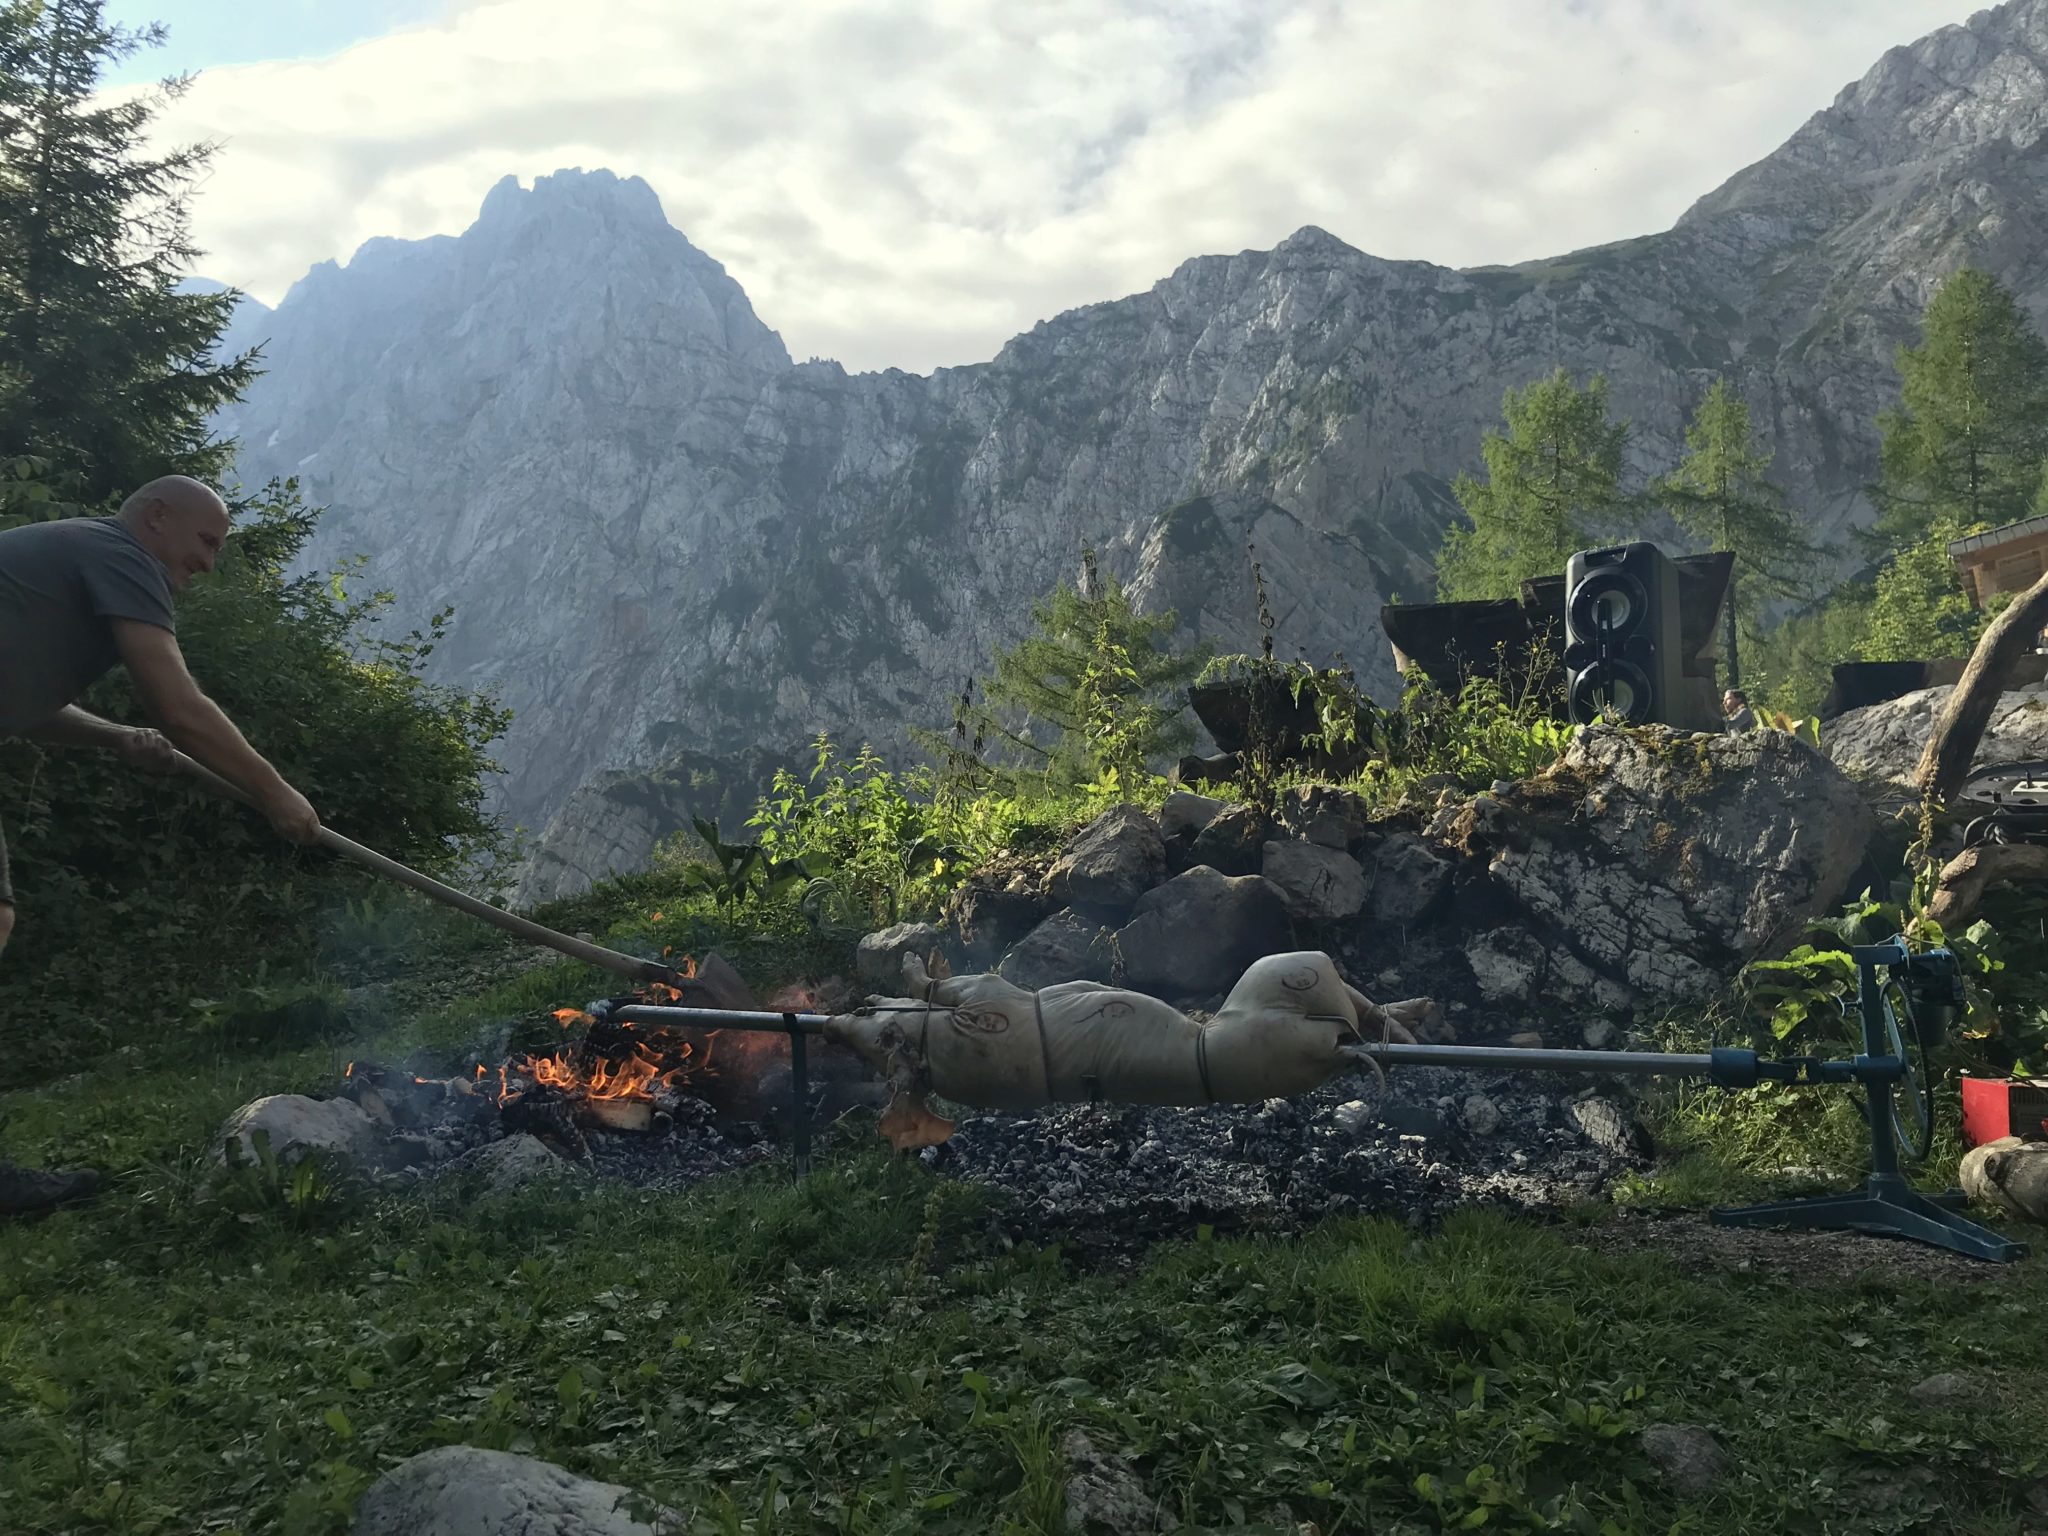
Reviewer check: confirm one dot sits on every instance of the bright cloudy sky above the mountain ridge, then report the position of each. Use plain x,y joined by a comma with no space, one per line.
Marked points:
910,183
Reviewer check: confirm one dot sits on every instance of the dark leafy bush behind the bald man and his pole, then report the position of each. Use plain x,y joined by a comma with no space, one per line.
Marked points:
157,890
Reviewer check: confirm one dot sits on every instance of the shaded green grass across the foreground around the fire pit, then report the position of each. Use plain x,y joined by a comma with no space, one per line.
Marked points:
865,1353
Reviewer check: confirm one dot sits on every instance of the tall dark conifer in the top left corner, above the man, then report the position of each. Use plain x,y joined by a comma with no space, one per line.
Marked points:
105,366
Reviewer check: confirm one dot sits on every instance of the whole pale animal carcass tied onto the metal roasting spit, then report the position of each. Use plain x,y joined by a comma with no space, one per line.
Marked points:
1289,1027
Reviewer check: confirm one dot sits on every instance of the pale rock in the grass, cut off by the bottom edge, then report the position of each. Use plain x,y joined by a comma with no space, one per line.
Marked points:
470,1492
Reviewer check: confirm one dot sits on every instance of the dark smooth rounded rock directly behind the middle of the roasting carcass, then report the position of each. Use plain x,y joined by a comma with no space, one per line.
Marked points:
1201,931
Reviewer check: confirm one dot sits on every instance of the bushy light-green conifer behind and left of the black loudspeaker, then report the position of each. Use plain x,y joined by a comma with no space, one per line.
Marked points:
1553,486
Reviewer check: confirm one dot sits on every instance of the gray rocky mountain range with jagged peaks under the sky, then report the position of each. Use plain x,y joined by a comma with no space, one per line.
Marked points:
663,538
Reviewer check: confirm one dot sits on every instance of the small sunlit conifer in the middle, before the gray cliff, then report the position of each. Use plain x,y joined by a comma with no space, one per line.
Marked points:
1103,677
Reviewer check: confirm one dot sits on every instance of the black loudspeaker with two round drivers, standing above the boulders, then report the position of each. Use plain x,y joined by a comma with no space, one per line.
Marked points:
1621,636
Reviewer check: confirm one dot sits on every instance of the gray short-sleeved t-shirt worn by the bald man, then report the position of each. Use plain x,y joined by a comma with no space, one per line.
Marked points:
62,585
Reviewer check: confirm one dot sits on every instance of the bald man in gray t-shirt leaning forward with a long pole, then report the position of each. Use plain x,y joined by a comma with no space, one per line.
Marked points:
77,597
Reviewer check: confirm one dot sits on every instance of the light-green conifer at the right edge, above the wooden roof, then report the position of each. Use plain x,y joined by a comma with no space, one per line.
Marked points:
1969,437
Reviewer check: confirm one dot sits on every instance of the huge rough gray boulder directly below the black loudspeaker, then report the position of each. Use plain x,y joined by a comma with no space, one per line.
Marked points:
1650,865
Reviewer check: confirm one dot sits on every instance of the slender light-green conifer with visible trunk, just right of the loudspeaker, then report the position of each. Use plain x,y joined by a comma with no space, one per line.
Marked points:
1721,493
